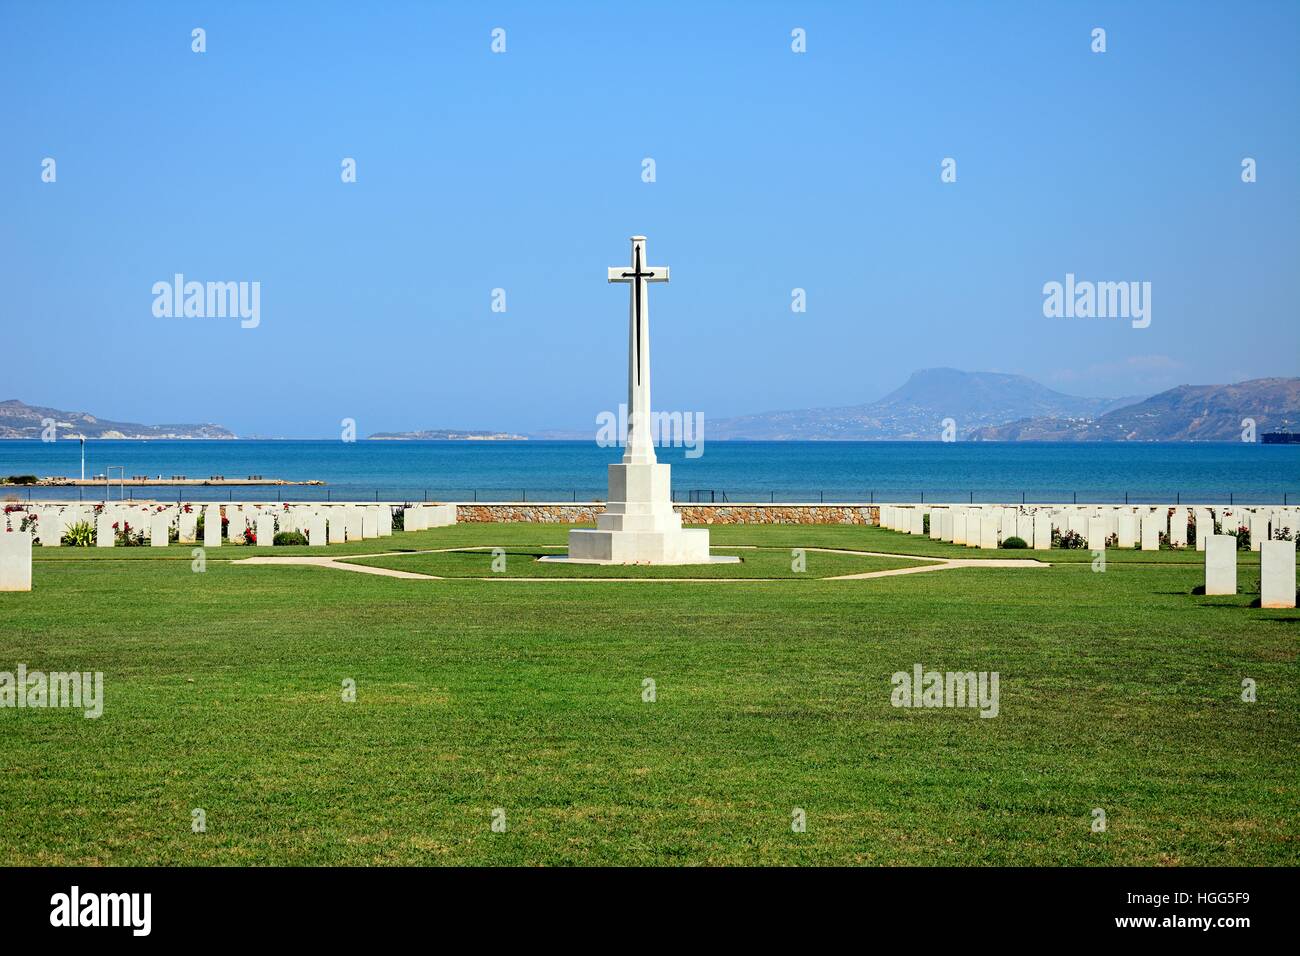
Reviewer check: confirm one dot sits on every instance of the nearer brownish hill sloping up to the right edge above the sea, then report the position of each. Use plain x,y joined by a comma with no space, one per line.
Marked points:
1190,413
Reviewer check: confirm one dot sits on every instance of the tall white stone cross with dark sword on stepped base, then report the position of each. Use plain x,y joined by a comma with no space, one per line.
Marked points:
640,526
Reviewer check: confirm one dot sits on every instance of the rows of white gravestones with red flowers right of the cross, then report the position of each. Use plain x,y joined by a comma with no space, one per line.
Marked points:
1145,527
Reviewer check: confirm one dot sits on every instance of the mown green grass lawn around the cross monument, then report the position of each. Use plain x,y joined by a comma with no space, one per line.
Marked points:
1119,691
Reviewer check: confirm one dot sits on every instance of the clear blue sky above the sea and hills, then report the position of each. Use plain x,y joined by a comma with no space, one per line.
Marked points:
523,171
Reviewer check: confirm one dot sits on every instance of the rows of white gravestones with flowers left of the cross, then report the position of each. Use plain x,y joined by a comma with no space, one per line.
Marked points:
245,524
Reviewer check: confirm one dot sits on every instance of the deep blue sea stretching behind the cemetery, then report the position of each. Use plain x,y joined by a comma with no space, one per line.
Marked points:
726,471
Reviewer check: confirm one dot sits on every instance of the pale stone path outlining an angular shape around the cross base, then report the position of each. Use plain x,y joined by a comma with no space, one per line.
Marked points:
933,565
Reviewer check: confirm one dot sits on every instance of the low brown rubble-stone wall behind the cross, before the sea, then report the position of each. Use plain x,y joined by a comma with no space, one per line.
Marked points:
545,513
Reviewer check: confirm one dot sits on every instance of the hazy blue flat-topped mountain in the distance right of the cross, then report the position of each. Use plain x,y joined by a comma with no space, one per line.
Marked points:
918,409
